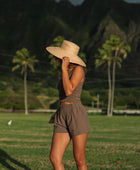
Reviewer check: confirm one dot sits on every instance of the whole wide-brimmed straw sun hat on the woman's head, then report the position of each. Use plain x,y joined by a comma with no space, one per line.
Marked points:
67,49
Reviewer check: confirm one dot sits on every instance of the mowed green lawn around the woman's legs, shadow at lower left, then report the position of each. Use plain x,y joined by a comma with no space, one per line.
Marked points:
113,143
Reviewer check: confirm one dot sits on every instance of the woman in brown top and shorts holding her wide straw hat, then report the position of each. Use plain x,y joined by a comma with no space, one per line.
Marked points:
71,119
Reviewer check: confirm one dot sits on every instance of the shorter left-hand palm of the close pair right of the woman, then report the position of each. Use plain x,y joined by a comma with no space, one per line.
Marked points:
103,58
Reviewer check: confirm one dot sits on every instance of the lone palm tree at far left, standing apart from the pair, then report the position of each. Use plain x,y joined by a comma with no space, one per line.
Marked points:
22,59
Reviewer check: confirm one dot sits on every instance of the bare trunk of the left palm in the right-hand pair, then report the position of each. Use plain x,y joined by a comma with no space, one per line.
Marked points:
109,90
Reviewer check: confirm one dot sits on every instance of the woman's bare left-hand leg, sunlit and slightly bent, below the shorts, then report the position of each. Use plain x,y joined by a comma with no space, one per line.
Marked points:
60,142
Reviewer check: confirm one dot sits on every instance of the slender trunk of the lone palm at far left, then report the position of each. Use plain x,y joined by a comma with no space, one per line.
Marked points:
25,90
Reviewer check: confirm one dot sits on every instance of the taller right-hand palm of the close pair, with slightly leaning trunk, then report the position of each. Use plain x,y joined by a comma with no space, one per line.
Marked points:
120,53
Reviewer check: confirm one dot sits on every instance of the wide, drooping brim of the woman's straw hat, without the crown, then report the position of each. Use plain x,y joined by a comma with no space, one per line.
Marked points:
60,53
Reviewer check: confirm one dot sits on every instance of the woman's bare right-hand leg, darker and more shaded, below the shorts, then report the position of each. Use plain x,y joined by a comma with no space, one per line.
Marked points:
79,147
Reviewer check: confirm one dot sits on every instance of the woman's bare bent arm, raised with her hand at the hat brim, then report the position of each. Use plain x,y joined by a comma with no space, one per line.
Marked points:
78,76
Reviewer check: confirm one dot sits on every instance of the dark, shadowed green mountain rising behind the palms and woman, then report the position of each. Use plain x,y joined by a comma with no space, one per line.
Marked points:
34,24
